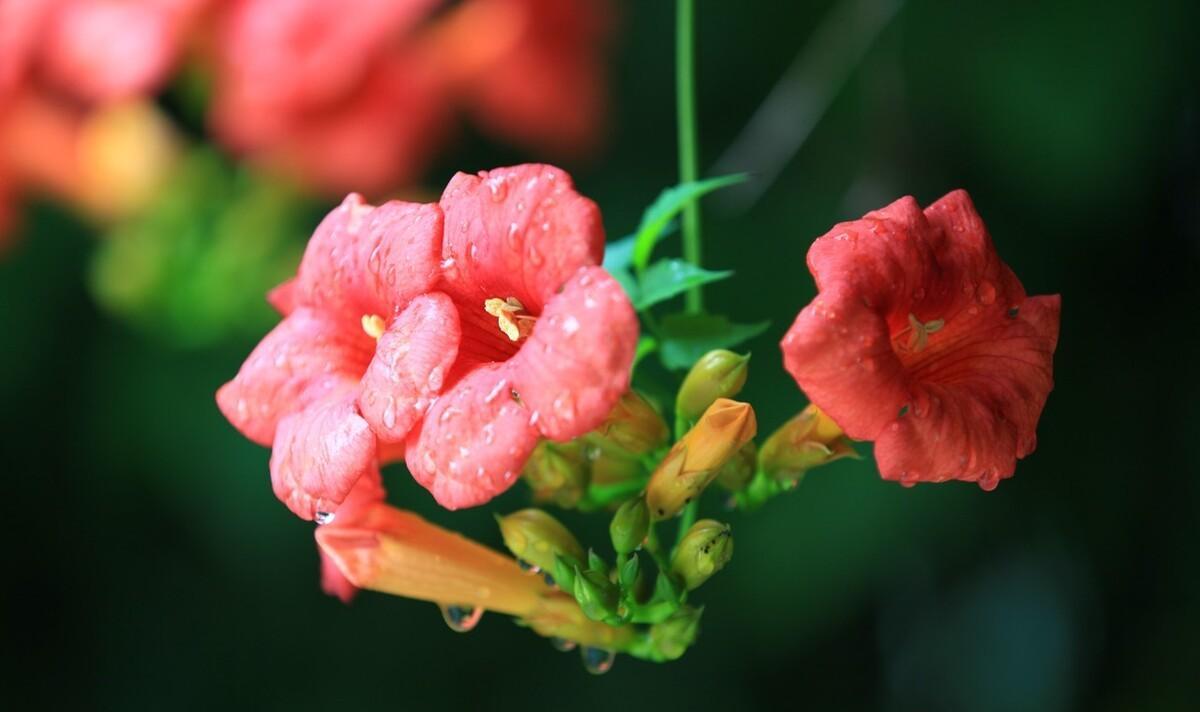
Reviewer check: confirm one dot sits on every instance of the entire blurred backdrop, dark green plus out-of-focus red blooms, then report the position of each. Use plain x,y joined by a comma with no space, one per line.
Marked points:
154,184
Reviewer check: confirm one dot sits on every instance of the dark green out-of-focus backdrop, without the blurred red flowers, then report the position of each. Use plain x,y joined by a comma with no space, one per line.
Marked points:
151,567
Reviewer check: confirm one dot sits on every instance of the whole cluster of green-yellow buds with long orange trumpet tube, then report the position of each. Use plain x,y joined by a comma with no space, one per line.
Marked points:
563,590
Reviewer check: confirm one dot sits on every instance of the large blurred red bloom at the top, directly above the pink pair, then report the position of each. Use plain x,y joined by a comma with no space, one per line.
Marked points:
363,100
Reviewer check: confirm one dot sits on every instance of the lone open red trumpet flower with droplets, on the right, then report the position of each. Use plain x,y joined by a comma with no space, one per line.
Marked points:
923,340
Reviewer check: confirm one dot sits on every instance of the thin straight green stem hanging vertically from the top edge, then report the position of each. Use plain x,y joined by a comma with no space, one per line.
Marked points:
686,117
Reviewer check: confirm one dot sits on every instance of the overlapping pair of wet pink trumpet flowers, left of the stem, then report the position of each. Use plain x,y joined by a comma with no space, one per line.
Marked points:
466,330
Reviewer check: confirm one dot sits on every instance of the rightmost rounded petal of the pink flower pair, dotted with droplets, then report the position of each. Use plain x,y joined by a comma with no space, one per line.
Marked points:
577,363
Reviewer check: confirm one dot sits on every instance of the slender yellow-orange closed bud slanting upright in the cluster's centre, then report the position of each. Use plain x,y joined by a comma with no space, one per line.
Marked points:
697,459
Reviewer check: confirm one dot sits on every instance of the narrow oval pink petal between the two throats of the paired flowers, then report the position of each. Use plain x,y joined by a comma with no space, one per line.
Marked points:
410,367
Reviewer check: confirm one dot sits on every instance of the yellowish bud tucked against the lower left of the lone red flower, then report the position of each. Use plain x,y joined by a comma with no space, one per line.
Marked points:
805,442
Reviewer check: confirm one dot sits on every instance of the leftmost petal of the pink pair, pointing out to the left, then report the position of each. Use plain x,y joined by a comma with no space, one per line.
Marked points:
308,356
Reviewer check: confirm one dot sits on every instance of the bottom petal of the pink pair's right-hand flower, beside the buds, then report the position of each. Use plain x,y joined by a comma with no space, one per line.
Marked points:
473,442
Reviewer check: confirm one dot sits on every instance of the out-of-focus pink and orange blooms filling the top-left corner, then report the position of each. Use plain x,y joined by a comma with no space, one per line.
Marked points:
61,62
